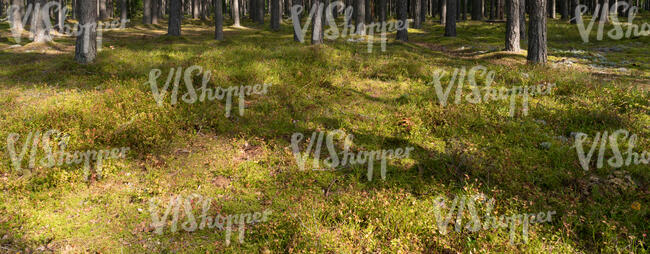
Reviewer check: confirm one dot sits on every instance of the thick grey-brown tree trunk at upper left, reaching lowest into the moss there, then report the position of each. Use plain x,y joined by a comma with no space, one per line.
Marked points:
86,45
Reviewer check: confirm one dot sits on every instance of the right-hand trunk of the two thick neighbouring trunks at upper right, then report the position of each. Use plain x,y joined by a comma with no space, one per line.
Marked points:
537,52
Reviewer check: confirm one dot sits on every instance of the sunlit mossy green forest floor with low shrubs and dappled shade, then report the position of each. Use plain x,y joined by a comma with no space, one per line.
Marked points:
525,161
